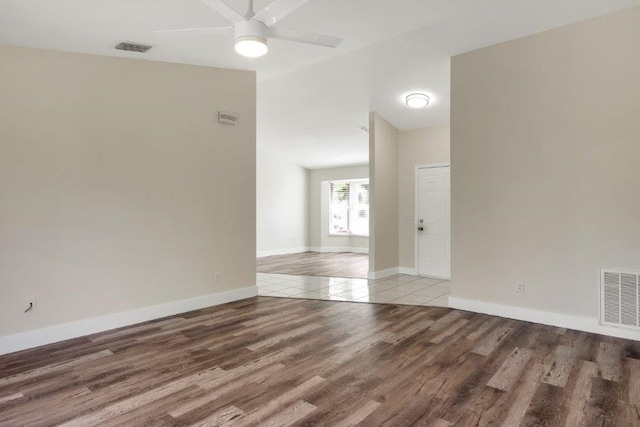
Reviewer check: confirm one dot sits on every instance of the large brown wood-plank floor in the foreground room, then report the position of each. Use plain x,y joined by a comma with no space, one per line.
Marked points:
276,361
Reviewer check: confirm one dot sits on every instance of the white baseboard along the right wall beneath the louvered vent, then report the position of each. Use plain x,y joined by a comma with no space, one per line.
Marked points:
546,318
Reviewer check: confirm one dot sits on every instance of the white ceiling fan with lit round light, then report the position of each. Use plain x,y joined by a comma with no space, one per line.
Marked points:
252,29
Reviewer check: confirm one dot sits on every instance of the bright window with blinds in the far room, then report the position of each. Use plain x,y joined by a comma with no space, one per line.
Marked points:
349,208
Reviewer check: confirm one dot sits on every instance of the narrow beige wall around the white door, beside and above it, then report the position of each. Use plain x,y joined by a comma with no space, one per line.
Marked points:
417,147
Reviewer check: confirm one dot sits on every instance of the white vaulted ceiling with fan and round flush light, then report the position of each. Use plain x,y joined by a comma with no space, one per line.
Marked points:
311,100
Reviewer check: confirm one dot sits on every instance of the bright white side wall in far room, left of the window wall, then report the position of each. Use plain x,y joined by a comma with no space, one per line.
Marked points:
282,224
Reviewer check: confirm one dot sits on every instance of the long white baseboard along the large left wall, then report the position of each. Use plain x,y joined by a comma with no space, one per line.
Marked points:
38,337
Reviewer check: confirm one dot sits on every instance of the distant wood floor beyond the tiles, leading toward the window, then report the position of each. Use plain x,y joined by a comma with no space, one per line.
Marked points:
344,264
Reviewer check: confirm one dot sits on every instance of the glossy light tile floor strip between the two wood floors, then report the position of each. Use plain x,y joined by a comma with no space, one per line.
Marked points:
399,289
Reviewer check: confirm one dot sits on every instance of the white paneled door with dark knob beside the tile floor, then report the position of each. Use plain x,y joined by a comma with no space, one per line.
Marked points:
434,222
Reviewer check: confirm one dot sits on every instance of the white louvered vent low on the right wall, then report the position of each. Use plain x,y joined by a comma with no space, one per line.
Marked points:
619,298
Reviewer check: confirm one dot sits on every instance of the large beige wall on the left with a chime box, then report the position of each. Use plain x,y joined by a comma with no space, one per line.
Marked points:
119,189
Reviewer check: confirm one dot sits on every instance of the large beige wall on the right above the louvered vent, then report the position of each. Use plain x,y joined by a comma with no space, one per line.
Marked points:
546,165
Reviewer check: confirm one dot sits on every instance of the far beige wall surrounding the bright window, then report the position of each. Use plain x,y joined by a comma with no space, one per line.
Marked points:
319,238
